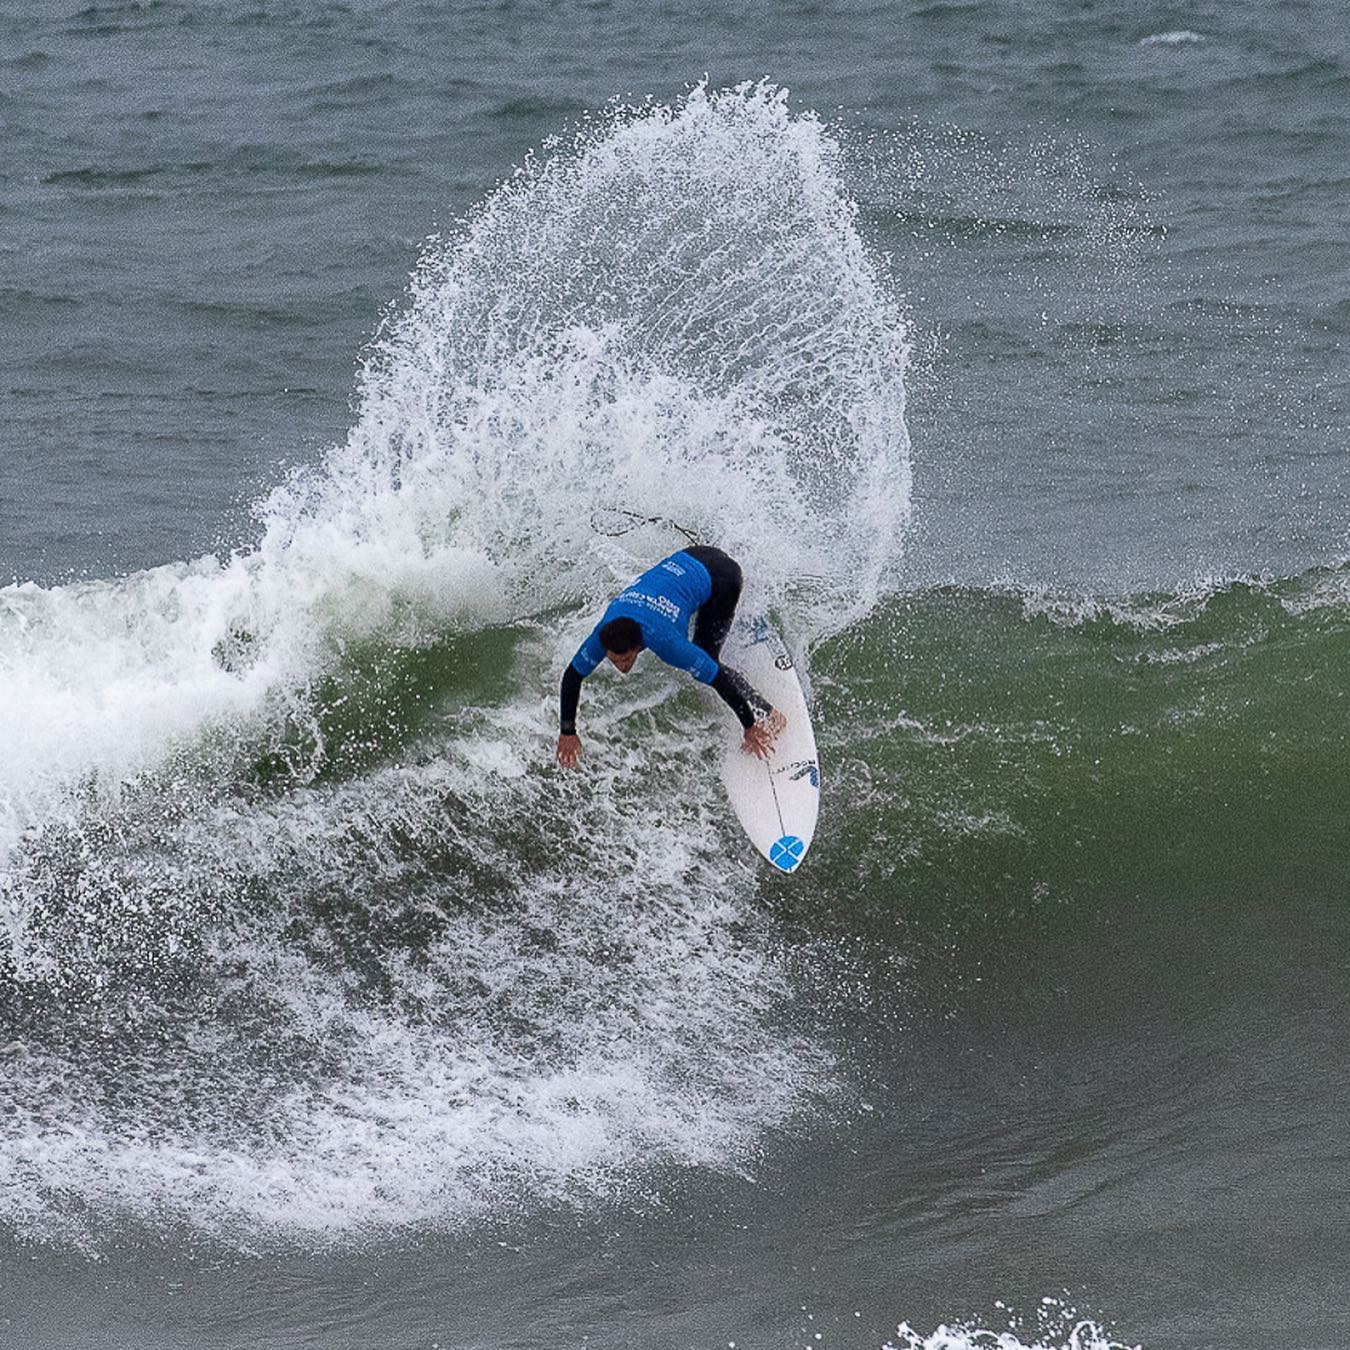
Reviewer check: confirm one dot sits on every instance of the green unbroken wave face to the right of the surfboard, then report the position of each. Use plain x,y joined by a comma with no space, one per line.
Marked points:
998,755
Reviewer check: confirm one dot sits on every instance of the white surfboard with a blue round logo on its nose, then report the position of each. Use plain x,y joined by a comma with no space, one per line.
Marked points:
776,800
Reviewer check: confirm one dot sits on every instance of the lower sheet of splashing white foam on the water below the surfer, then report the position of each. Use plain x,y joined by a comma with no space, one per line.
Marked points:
557,1040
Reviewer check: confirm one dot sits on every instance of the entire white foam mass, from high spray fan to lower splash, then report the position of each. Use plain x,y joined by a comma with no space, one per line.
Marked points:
453,981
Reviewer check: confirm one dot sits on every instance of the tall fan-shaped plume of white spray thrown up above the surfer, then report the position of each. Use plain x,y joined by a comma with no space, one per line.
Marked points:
676,317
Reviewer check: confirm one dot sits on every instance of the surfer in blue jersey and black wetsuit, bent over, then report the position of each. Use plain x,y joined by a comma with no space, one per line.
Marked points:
654,612
